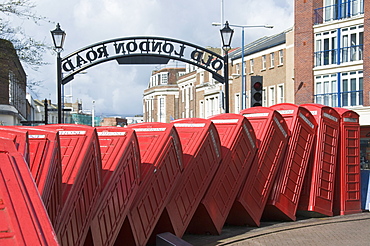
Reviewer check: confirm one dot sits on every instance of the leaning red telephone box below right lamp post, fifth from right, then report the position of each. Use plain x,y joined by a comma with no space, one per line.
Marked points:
239,147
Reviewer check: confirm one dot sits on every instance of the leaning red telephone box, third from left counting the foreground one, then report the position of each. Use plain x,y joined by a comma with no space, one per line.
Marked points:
46,168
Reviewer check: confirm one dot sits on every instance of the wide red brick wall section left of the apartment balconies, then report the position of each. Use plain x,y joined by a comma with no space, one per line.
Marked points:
304,50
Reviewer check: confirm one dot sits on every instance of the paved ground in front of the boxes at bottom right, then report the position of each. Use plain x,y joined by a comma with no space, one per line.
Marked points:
338,230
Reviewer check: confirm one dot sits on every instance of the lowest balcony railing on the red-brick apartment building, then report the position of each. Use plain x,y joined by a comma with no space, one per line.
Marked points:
348,98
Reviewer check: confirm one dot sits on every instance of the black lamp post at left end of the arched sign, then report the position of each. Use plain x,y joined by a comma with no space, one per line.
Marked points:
58,36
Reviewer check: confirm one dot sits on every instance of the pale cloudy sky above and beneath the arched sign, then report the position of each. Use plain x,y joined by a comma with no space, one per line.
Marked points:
118,89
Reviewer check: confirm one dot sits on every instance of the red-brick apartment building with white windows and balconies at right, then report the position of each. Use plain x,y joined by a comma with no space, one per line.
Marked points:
332,51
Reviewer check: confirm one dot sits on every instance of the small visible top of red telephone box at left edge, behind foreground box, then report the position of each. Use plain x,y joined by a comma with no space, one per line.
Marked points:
19,138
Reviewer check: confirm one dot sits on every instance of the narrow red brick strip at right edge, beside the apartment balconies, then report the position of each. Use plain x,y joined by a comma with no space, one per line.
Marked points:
366,53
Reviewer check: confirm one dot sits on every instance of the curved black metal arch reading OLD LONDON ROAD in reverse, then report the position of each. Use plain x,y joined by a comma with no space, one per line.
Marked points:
141,50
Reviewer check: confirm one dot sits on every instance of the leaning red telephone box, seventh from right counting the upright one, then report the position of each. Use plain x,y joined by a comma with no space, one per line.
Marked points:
161,166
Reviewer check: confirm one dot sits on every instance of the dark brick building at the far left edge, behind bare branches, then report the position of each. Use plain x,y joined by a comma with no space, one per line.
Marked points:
13,82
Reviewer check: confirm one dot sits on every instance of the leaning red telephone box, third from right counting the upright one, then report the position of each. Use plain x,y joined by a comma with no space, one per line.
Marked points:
284,197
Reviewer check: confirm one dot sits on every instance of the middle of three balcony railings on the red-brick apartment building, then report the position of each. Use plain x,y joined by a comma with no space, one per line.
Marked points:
347,54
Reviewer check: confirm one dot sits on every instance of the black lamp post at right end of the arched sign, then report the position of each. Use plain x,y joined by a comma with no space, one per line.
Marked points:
226,36
